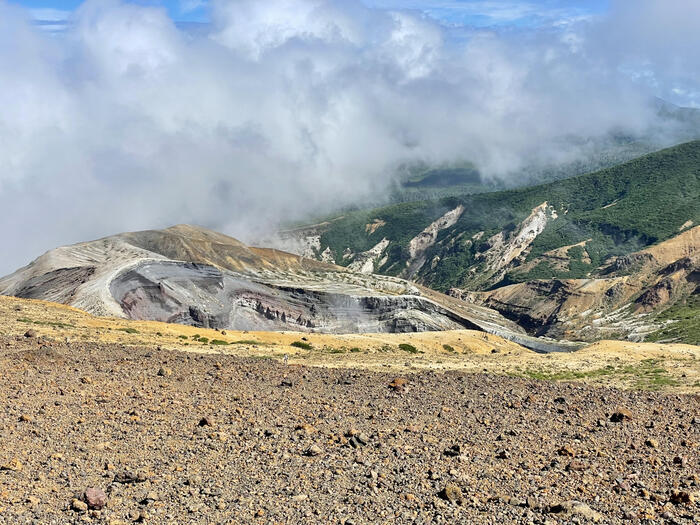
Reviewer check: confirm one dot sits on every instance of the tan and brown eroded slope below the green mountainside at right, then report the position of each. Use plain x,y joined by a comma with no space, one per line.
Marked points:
622,299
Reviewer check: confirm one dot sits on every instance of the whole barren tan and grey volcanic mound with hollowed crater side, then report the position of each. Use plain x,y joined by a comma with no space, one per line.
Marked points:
194,276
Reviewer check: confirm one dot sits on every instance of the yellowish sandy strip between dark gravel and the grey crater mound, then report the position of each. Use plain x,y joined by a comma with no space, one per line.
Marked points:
618,363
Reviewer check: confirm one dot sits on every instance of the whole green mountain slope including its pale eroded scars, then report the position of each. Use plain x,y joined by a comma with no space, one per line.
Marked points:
563,230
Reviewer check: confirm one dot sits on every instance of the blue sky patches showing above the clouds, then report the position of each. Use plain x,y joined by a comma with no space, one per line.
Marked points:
450,12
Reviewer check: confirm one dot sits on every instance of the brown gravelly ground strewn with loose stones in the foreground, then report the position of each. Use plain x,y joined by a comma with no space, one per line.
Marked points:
108,434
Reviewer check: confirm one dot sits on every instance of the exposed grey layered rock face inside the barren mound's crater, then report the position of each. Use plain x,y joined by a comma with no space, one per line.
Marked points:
206,296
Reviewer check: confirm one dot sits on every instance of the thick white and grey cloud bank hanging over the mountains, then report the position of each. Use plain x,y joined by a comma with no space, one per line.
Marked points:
282,108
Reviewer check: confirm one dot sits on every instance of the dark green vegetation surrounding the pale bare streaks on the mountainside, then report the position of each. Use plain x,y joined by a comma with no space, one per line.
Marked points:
617,211
